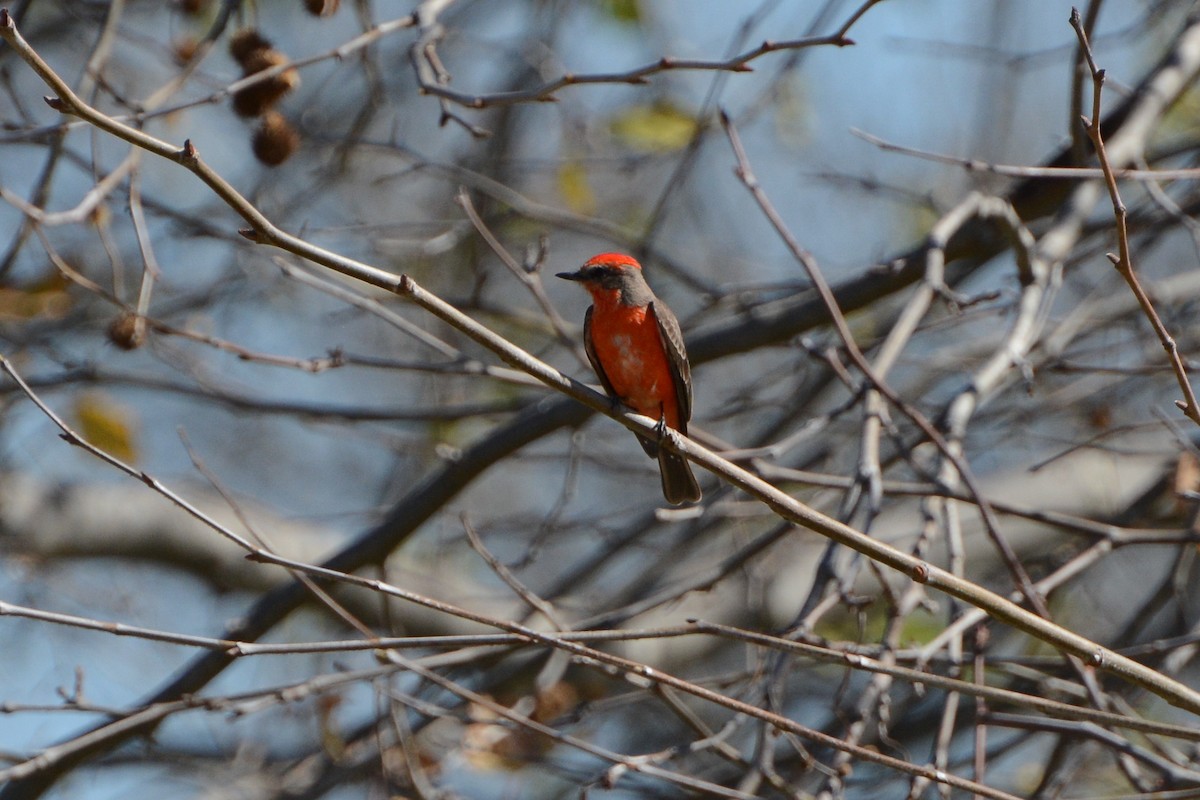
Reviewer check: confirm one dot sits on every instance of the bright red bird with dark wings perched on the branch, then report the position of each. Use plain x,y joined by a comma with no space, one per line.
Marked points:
635,346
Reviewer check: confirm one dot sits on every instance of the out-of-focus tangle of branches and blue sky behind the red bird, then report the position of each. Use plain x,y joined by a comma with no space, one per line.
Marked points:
332,420
